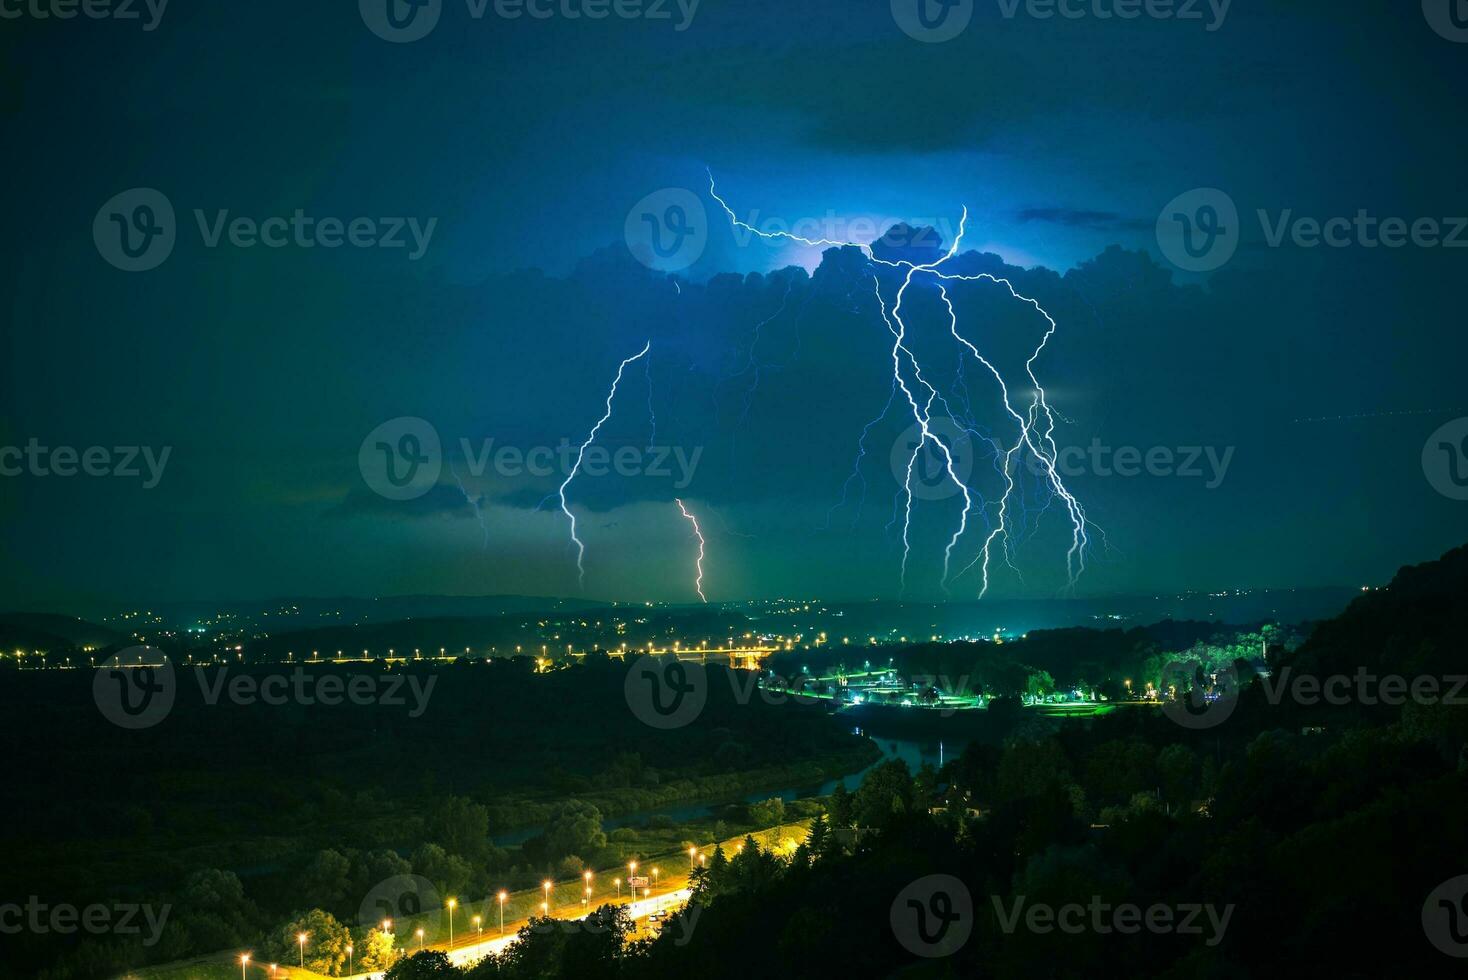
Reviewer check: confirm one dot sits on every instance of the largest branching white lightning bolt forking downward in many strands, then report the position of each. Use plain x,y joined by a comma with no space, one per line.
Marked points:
1036,423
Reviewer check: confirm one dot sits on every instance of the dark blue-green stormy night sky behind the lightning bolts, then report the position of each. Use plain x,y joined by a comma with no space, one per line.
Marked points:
529,143
